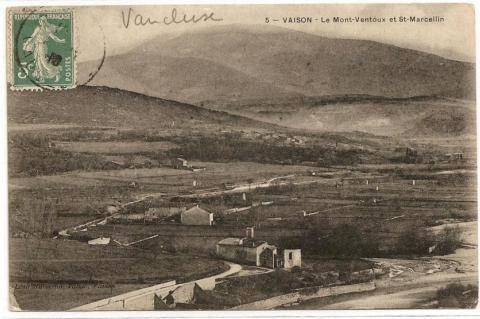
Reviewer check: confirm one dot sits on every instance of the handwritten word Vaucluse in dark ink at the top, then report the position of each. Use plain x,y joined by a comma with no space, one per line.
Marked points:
137,19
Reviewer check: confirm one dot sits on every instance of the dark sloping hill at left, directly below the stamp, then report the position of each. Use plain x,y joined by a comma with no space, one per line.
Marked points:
102,106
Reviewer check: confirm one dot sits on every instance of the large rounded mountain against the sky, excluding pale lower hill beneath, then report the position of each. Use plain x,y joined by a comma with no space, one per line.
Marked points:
234,63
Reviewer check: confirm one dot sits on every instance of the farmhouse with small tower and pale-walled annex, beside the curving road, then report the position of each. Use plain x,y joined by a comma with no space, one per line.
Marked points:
256,252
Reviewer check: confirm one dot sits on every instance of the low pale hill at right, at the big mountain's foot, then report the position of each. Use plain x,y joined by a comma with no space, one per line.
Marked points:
418,116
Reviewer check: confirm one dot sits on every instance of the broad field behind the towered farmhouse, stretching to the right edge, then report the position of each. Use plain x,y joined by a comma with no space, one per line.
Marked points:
394,208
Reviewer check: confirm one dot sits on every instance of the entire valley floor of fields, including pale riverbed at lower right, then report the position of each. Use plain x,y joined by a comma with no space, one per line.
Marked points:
287,204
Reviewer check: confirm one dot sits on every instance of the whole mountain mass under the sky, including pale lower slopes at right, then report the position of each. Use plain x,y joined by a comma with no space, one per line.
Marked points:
283,76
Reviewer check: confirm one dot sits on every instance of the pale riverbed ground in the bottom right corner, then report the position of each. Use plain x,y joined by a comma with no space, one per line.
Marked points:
411,284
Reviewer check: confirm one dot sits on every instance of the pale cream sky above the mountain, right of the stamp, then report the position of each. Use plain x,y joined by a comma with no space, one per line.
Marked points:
454,38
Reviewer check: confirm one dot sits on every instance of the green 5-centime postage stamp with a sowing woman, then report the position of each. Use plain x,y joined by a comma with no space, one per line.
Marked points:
42,49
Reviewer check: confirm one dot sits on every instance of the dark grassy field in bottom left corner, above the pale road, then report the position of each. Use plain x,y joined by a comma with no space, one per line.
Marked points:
58,275
